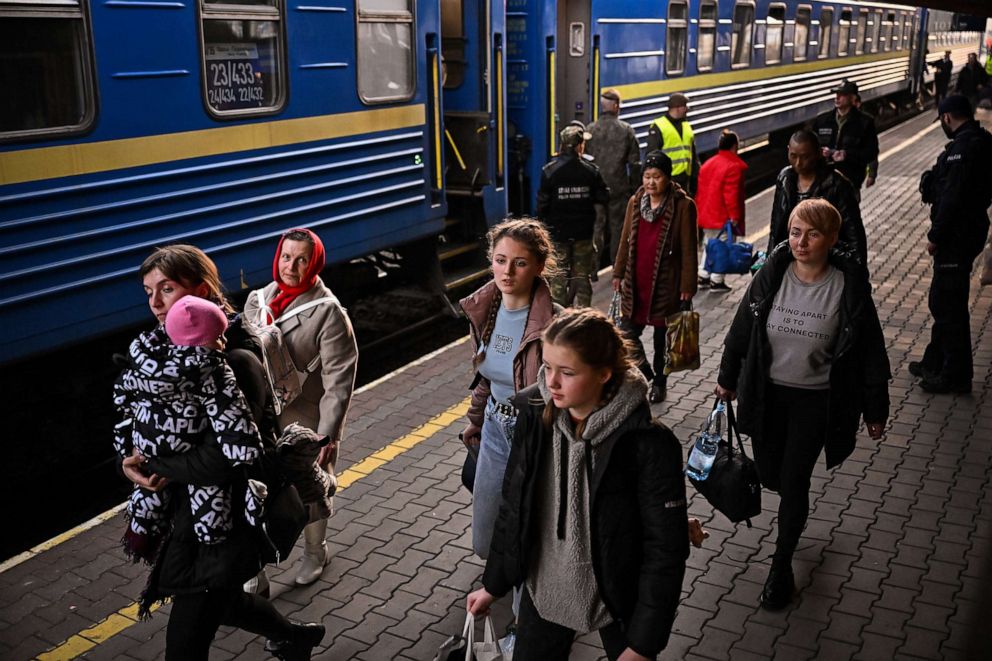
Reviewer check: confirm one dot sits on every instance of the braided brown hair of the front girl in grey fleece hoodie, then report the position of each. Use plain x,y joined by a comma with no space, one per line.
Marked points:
597,342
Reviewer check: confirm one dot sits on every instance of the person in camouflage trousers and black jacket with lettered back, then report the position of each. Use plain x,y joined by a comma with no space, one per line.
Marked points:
571,198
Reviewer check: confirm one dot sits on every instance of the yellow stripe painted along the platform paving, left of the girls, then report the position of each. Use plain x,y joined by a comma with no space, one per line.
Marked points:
113,624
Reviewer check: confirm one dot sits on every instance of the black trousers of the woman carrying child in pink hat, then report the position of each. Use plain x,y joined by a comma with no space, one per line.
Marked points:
195,619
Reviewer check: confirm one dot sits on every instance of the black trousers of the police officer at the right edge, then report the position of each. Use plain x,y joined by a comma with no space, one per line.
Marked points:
949,351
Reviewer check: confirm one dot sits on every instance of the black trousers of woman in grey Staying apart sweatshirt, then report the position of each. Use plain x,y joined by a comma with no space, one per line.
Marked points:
794,435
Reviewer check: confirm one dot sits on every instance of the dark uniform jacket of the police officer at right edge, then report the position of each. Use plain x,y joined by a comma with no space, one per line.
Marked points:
962,192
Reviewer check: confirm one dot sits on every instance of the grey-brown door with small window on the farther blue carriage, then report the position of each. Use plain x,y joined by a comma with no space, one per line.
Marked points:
573,45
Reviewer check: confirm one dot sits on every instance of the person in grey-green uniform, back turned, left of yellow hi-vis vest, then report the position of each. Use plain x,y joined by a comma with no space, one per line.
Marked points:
615,148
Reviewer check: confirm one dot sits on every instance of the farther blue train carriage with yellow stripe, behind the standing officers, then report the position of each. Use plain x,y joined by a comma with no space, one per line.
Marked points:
755,65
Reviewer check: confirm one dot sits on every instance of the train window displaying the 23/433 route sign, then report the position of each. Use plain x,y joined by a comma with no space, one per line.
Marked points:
243,56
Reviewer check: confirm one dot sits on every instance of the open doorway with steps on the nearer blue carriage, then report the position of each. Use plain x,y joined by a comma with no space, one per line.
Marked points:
473,131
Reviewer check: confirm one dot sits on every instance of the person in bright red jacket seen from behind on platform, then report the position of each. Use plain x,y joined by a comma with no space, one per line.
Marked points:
720,198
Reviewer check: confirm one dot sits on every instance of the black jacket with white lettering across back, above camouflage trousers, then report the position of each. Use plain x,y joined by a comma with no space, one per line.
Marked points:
571,187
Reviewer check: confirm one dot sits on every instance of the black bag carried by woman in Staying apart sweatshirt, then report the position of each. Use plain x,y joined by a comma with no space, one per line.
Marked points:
732,486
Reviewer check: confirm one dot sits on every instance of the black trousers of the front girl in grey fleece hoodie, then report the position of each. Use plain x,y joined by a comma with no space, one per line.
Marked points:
540,640
